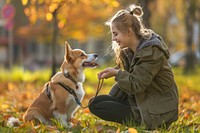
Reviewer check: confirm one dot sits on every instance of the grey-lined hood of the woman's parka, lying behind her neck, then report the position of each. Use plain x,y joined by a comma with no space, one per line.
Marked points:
155,40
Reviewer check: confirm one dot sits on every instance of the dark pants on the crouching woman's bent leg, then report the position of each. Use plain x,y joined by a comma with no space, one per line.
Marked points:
111,109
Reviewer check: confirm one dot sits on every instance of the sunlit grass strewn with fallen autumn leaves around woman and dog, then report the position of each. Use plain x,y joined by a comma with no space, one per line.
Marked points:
19,87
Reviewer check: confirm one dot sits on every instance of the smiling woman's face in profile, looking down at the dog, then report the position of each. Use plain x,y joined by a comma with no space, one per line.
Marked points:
121,38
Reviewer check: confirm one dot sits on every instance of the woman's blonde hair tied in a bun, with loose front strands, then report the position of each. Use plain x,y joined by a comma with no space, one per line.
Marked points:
128,18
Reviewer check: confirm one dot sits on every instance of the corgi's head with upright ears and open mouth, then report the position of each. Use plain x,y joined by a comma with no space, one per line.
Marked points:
77,60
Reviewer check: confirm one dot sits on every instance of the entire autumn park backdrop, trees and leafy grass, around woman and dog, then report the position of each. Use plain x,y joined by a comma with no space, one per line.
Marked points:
32,38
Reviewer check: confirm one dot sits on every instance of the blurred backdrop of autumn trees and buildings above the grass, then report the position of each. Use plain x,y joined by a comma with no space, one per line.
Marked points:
33,32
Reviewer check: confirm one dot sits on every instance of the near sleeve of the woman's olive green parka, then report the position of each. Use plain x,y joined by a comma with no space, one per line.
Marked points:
147,66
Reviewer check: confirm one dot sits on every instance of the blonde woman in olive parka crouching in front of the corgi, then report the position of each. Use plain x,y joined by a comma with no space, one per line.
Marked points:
145,92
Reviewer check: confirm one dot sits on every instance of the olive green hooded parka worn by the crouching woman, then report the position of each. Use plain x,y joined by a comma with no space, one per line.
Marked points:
148,83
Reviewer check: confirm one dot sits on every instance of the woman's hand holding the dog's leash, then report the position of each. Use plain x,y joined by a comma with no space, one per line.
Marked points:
107,73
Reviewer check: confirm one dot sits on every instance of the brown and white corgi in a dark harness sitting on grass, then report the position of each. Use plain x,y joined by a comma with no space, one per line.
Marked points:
58,99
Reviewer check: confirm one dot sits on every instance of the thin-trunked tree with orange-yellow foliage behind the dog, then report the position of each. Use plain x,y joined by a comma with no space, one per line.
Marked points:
75,19
